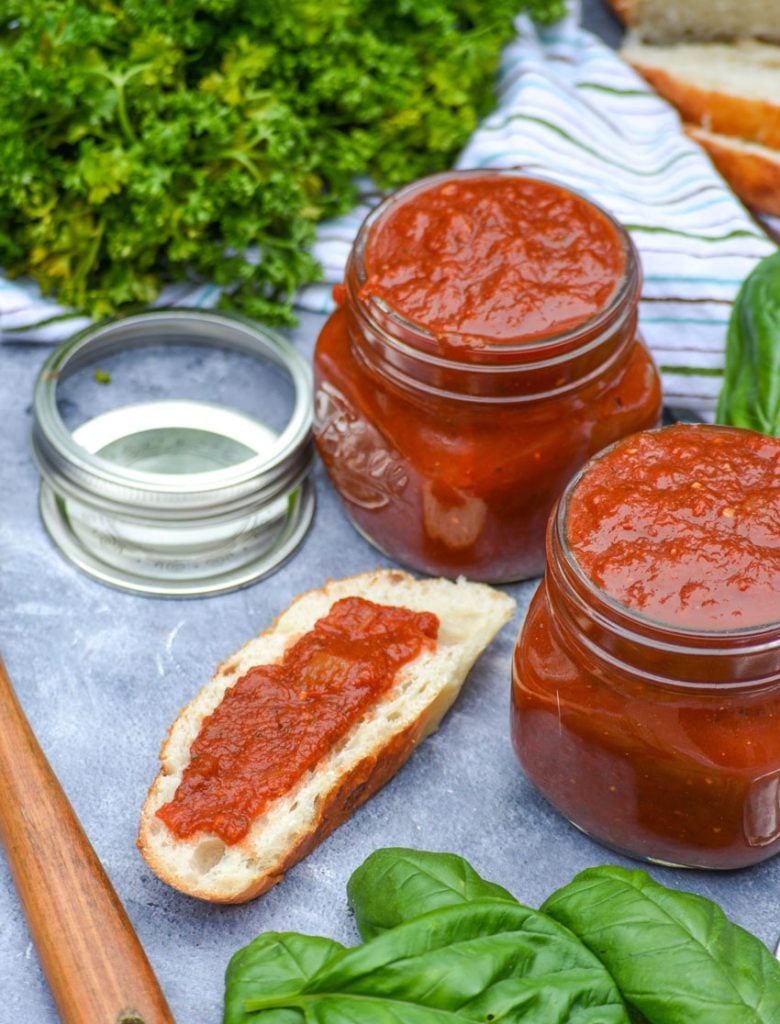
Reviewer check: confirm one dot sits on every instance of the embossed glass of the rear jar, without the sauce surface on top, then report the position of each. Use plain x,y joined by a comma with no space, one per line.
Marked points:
449,447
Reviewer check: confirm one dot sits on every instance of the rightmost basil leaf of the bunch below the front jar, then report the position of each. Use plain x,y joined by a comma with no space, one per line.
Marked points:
675,956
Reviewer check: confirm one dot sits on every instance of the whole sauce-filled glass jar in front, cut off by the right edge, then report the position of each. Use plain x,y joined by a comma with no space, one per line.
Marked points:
646,682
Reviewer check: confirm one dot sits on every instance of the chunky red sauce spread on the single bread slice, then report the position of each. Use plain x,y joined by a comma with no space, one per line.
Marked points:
277,722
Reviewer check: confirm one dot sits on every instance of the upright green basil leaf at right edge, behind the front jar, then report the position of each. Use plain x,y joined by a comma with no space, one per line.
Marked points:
751,394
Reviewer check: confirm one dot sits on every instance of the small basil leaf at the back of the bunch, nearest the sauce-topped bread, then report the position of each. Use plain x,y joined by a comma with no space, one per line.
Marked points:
396,884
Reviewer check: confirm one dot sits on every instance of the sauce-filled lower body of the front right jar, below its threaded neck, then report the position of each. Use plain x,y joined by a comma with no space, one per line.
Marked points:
681,777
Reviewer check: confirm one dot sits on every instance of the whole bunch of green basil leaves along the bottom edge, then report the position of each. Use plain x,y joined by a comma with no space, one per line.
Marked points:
444,946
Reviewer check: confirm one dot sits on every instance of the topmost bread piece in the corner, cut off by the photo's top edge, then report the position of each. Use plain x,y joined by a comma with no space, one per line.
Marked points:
669,22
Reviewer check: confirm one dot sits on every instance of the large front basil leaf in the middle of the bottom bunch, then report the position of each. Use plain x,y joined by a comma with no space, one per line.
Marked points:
484,961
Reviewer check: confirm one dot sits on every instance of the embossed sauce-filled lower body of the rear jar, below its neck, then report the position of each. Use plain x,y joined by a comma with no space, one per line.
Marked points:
453,487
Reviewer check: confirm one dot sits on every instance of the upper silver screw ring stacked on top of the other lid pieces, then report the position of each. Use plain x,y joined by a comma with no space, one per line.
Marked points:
73,472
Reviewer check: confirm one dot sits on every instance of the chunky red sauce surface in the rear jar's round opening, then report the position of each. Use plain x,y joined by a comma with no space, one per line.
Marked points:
498,259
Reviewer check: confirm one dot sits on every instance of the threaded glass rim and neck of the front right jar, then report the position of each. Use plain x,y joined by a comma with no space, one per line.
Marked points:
630,622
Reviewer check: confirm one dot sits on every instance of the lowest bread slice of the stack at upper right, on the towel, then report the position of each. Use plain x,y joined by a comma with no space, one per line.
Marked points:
753,172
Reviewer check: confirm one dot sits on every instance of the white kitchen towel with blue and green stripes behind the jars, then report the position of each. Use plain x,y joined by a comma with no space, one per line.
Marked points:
572,111
